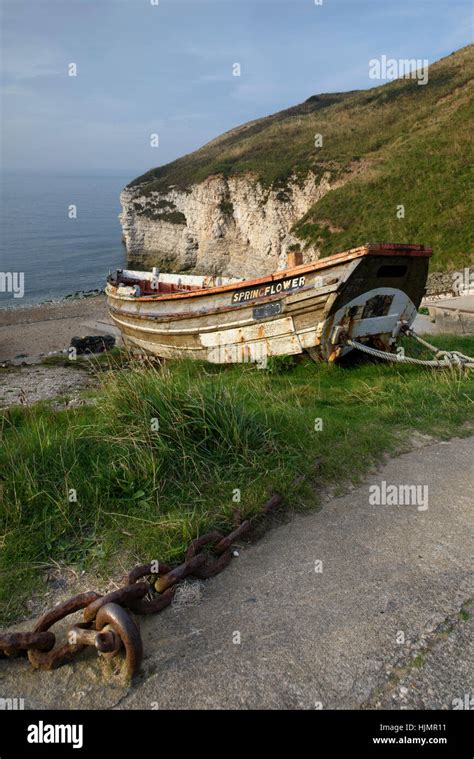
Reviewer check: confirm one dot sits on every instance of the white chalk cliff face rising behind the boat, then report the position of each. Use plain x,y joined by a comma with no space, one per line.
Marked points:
232,227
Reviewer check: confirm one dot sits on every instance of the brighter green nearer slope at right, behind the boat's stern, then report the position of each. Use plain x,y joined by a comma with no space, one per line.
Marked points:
429,173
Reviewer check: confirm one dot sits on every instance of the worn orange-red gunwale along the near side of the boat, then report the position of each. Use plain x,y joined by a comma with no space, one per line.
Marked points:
370,249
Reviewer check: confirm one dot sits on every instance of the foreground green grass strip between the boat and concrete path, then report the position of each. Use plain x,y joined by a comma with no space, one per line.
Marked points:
144,490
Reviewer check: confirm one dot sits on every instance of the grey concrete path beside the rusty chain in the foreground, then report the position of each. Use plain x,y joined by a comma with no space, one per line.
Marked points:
356,606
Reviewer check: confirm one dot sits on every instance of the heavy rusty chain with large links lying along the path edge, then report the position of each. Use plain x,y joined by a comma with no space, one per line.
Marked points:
108,624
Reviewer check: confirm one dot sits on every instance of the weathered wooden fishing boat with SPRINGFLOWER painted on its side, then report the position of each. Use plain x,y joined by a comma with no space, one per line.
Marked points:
365,294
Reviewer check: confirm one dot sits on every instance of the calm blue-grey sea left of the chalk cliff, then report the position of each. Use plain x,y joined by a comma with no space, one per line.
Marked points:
57,254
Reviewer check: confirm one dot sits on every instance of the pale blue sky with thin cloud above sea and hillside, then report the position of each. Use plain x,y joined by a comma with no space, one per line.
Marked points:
166,68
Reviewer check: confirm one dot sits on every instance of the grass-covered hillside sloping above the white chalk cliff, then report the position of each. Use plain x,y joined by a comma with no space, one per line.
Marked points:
397,144
